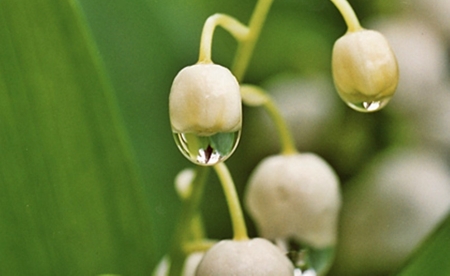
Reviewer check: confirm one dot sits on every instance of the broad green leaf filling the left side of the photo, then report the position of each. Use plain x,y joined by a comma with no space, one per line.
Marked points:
71,200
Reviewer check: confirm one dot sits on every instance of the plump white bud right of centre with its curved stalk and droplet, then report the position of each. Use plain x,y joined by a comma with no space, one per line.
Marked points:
294,197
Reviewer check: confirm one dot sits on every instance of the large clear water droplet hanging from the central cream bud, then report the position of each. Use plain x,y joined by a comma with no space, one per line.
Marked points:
207,150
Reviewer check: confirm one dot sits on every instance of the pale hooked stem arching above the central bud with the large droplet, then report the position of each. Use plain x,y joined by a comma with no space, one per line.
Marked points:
233,26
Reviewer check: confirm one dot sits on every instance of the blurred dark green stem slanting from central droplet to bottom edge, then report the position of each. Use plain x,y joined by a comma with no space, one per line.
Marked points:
188,212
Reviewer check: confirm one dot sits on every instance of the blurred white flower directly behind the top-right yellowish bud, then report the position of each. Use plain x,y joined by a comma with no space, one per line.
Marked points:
422,59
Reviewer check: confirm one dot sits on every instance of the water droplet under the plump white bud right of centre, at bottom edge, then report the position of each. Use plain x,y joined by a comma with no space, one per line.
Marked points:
312,261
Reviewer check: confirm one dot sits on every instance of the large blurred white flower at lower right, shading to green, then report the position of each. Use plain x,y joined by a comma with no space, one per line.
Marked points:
389,209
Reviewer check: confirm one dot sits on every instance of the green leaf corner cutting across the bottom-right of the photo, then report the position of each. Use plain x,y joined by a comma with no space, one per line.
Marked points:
432,257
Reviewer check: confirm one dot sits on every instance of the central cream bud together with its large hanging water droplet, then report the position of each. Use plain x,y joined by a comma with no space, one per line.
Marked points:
205,113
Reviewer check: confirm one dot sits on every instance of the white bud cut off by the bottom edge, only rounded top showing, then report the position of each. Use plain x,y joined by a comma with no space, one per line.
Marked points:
242,258
